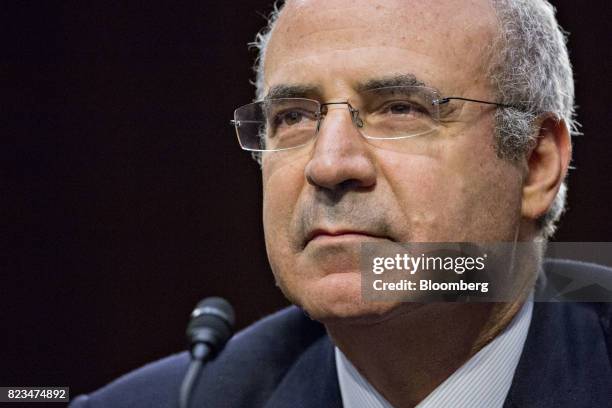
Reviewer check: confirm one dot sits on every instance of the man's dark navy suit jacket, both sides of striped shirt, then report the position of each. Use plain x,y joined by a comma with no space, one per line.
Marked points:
287,360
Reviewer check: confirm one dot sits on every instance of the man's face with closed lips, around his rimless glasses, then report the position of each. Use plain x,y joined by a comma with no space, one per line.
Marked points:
323,199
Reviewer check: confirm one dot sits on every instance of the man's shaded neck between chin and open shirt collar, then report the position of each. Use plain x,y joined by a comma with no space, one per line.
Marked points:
407,356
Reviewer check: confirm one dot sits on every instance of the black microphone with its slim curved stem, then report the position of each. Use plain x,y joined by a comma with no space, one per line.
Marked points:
210,327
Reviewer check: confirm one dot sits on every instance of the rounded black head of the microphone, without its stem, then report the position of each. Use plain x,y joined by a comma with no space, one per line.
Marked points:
212,323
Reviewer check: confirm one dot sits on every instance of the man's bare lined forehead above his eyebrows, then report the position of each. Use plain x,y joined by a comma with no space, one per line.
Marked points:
444,43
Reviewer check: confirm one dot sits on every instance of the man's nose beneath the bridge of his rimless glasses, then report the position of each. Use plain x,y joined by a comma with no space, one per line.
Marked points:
341,158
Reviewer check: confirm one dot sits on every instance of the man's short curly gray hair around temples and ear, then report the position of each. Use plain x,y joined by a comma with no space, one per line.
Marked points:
530,69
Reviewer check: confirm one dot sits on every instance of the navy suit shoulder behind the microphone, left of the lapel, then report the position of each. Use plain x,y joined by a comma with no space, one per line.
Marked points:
263,350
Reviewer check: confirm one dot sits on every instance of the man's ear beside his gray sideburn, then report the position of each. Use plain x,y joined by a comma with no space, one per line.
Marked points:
546,166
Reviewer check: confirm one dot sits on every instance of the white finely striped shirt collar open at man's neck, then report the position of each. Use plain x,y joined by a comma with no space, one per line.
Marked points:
483,381
